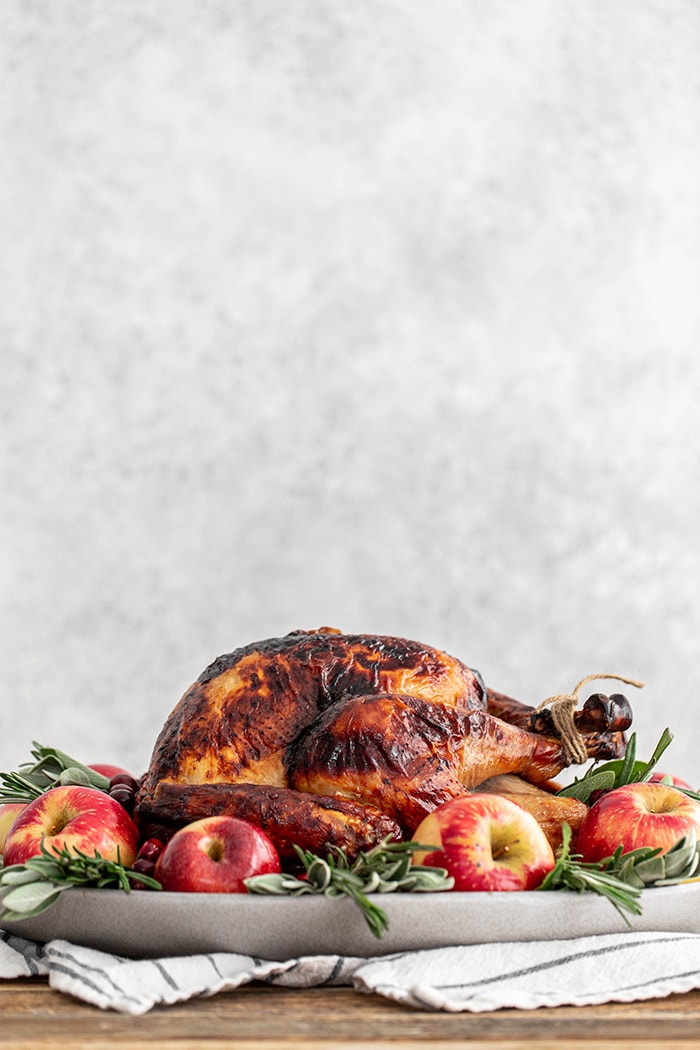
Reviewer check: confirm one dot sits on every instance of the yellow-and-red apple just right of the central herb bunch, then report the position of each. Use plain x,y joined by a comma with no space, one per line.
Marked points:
485,843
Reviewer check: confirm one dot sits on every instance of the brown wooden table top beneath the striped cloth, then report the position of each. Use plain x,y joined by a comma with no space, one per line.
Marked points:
262,1018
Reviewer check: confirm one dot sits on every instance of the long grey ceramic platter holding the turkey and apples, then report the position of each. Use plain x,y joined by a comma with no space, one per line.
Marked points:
155,925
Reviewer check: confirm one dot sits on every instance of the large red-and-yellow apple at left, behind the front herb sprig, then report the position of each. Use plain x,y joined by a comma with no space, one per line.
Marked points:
82,818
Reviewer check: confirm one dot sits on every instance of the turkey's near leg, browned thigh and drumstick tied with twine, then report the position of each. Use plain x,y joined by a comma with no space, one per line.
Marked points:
415,755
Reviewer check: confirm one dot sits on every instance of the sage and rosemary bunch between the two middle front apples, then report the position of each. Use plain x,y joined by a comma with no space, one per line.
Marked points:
386,869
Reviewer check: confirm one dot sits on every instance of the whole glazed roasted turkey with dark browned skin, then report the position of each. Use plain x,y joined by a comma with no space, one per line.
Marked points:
324,739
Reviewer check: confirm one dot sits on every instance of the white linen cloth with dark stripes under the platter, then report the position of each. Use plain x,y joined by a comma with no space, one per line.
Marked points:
484,977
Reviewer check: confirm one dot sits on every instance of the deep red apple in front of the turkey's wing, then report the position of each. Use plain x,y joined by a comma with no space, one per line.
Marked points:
215,855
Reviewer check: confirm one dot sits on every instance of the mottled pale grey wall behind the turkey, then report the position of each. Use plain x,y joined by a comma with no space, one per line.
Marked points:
375,314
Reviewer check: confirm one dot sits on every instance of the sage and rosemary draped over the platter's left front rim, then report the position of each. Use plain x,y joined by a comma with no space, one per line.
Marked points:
30,889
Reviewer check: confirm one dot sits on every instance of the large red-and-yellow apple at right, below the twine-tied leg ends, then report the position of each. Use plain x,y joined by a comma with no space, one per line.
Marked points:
638,815
